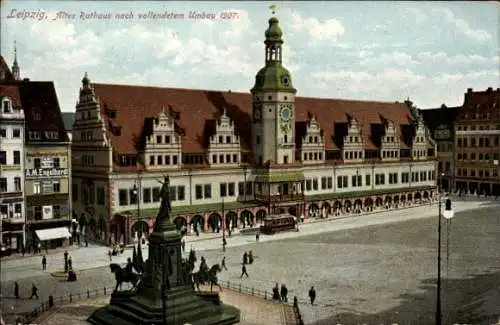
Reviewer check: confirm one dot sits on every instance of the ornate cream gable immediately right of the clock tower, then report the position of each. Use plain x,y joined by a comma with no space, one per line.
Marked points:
312,150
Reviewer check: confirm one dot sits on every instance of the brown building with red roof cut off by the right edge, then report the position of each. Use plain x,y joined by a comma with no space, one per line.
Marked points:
477,143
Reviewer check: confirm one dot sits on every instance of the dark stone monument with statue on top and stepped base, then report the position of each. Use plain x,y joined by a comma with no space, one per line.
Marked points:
165,294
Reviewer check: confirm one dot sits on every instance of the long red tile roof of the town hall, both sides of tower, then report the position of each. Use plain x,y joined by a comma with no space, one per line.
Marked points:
135,104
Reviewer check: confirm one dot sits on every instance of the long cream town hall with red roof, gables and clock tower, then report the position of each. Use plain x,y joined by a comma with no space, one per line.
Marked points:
232,157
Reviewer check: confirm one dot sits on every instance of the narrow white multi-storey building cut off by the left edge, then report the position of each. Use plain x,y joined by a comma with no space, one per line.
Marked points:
12,212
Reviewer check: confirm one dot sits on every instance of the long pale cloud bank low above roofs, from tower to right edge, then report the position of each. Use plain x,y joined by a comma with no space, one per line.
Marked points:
398,84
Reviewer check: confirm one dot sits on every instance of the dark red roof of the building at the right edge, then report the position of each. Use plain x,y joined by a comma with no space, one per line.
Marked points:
480,105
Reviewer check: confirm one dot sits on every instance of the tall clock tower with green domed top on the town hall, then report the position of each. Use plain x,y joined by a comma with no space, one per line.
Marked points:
273,95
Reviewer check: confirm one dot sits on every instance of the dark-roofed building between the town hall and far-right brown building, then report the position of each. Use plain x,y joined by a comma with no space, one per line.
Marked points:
441,125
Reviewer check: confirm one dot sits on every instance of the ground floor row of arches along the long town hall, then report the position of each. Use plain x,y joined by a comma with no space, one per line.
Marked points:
127,228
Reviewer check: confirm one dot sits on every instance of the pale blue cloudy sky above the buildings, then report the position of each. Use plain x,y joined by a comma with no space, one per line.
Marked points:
430,52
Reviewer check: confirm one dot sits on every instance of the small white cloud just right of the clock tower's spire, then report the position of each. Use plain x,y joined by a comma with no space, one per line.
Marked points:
328,30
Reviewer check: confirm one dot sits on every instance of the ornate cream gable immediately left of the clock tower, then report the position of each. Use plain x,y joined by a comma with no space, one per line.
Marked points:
224,145
